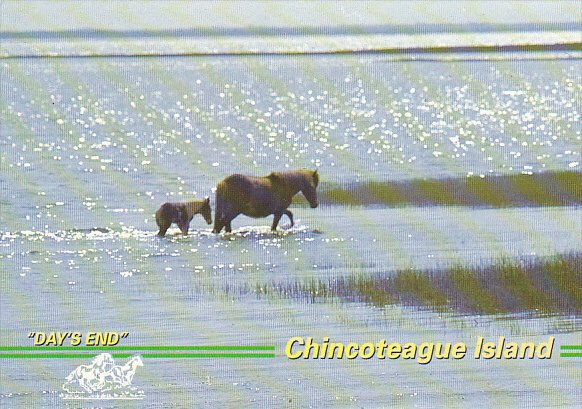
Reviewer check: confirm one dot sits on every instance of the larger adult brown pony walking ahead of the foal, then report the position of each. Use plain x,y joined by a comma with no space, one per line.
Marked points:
262,196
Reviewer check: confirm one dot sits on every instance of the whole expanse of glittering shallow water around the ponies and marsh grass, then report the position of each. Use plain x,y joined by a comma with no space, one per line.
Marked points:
90,148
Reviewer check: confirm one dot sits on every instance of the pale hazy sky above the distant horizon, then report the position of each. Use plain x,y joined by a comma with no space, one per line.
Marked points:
158,15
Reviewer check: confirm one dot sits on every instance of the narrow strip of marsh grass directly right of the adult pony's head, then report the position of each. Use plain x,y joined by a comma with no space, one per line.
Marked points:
544,189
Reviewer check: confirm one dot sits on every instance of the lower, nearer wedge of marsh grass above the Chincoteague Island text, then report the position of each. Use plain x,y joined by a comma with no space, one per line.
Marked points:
550,285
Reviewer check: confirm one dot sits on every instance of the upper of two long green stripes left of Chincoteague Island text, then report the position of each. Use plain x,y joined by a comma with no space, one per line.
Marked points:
145,348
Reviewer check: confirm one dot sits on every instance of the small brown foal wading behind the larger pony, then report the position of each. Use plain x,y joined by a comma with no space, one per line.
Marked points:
182,214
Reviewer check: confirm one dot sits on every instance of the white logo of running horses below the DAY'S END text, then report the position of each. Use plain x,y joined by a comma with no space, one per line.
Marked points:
102,379
